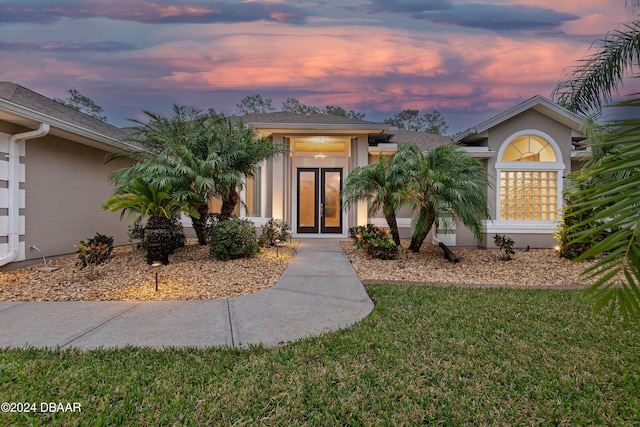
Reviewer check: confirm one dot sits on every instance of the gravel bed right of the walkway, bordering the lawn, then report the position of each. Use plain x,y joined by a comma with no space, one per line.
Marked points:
535,268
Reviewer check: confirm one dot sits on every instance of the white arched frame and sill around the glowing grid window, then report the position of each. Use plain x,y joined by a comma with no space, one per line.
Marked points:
527,226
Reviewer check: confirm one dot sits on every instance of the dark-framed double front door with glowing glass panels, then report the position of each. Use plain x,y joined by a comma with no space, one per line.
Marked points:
319,206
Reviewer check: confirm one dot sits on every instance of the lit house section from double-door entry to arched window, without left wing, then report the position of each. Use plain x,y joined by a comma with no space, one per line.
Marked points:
527,150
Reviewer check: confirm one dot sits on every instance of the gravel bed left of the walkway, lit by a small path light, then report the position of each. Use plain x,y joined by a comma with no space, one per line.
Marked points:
191,275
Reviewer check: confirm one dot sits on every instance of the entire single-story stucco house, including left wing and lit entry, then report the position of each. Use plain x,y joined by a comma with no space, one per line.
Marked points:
53,178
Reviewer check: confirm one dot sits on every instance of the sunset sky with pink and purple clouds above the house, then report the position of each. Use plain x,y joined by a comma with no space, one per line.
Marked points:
469,59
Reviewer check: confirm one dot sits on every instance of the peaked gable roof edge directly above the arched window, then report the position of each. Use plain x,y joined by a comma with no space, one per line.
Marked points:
537,103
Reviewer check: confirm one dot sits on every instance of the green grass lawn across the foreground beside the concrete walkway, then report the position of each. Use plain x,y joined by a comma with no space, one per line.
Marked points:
426,355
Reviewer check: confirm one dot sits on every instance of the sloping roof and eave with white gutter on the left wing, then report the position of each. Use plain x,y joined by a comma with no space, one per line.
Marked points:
27,108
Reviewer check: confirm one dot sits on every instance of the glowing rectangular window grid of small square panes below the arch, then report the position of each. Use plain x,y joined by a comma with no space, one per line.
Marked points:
528,195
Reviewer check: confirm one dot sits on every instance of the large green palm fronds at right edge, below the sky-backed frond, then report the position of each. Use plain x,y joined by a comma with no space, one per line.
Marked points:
614,203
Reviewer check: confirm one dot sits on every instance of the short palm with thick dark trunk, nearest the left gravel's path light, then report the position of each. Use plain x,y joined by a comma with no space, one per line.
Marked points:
143,199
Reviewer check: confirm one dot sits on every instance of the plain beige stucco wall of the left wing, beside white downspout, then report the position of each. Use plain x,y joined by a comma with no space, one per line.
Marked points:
65,185
